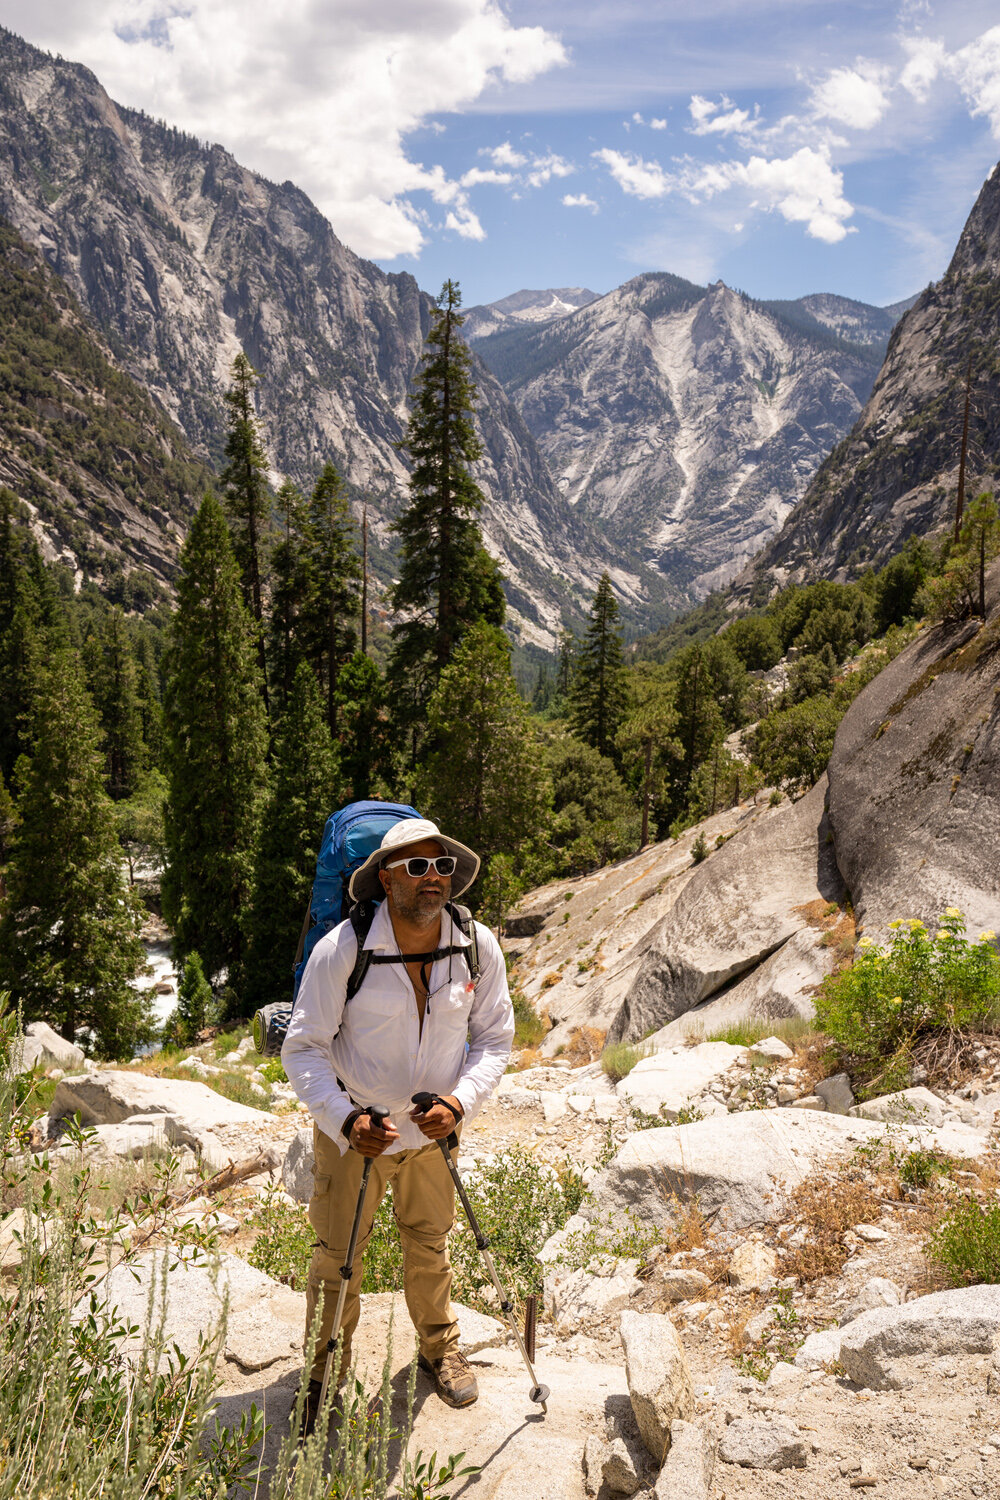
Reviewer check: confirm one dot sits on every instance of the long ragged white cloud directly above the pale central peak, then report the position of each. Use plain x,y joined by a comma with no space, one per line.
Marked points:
804,188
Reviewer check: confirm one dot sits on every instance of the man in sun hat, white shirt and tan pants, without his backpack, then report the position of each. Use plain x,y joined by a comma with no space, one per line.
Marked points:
404,1033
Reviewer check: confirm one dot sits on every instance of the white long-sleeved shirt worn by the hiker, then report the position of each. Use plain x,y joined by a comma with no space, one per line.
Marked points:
373,1049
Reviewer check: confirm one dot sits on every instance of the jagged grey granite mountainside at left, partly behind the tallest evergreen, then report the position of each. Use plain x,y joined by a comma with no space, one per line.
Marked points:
182,257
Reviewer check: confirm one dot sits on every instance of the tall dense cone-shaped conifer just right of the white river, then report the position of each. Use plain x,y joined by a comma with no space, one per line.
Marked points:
215,746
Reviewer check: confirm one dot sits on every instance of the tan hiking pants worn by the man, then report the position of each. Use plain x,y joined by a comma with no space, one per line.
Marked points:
424,1207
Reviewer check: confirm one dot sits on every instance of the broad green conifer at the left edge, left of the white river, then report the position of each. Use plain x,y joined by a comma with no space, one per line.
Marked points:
70,937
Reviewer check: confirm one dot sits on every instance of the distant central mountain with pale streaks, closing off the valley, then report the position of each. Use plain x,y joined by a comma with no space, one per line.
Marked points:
689,421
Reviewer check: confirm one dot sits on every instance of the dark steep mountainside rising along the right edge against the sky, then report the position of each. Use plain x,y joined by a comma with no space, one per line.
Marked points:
896,473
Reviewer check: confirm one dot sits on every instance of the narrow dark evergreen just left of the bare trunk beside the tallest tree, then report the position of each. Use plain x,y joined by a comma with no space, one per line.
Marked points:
334,575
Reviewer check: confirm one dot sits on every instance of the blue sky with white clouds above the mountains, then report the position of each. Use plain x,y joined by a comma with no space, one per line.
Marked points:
782,146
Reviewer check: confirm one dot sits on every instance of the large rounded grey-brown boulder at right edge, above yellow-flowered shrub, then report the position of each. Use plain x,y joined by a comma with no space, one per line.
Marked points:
915,781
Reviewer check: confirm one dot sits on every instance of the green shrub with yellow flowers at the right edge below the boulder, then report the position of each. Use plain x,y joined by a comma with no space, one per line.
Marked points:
920,988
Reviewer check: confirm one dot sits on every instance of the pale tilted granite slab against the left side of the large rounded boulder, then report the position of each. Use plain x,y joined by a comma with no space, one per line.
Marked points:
740,908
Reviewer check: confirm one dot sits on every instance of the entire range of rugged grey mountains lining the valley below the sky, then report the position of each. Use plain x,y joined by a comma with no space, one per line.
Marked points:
666,433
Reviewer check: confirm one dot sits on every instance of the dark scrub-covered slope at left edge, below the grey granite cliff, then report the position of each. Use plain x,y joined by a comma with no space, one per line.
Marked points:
109,479
